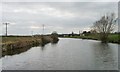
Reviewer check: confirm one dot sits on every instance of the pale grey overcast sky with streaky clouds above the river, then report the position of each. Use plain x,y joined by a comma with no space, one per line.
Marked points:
63,17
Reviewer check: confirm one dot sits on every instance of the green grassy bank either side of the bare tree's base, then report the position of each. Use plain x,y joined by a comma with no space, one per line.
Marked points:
112,38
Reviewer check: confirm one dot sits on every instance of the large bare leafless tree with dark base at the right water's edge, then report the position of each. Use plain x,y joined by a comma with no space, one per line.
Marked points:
104,26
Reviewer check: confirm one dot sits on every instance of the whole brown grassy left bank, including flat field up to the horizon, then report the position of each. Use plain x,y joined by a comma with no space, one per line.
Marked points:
17,42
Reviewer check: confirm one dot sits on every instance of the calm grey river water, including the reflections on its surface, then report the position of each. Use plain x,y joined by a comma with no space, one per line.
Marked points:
67,54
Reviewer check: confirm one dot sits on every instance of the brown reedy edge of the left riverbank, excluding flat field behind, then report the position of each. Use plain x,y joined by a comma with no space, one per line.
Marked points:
34,41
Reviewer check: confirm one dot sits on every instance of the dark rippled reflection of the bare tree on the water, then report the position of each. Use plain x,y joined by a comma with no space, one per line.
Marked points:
104,56
